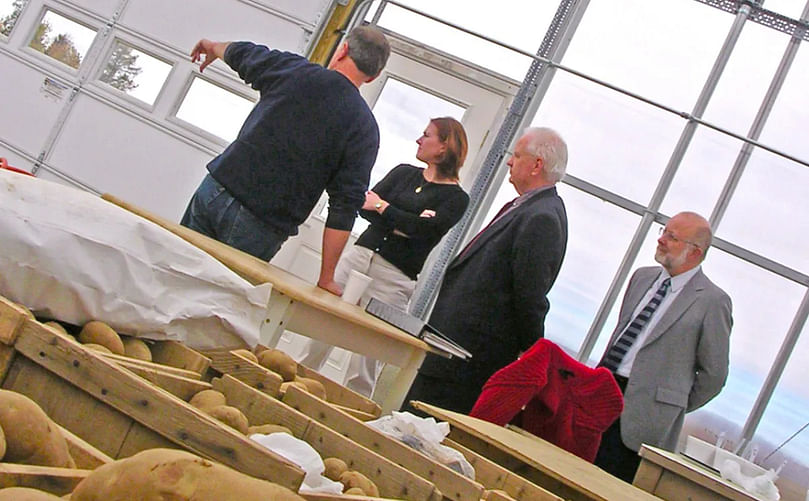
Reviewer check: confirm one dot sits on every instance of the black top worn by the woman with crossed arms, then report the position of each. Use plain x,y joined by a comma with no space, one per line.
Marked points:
398,188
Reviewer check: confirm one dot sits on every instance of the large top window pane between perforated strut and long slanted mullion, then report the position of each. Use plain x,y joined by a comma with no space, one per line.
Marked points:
662,50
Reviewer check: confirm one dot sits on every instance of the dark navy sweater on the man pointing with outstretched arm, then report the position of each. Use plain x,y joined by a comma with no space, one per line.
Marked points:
310,130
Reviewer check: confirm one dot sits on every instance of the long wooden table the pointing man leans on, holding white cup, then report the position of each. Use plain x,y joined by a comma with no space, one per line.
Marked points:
303,308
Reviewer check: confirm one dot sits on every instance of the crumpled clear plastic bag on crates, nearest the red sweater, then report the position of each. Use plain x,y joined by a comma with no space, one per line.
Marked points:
424,435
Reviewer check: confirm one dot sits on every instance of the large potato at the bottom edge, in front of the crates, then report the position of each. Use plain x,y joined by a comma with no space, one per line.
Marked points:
163,474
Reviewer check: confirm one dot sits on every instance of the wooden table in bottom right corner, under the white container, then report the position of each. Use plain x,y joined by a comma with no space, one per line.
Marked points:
675,477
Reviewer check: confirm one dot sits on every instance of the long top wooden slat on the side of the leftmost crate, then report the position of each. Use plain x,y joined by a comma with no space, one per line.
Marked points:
153,407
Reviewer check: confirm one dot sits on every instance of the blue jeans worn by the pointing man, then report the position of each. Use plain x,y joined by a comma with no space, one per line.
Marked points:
212,211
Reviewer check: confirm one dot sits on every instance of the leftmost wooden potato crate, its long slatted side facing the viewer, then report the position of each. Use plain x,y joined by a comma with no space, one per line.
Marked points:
112,408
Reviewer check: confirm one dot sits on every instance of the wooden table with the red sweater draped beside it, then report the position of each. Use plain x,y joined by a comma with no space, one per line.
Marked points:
560,472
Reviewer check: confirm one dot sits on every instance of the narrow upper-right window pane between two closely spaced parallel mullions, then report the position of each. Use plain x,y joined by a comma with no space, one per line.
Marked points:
746,78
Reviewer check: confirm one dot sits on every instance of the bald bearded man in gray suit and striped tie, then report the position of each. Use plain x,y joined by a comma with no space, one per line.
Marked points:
669,351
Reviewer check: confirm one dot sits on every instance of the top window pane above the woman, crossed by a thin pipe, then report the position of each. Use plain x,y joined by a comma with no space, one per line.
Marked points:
515,22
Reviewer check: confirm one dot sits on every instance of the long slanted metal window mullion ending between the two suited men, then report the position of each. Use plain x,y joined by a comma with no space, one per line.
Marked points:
663,186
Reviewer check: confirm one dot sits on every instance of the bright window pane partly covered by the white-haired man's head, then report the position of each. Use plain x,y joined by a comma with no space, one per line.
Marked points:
615,142
